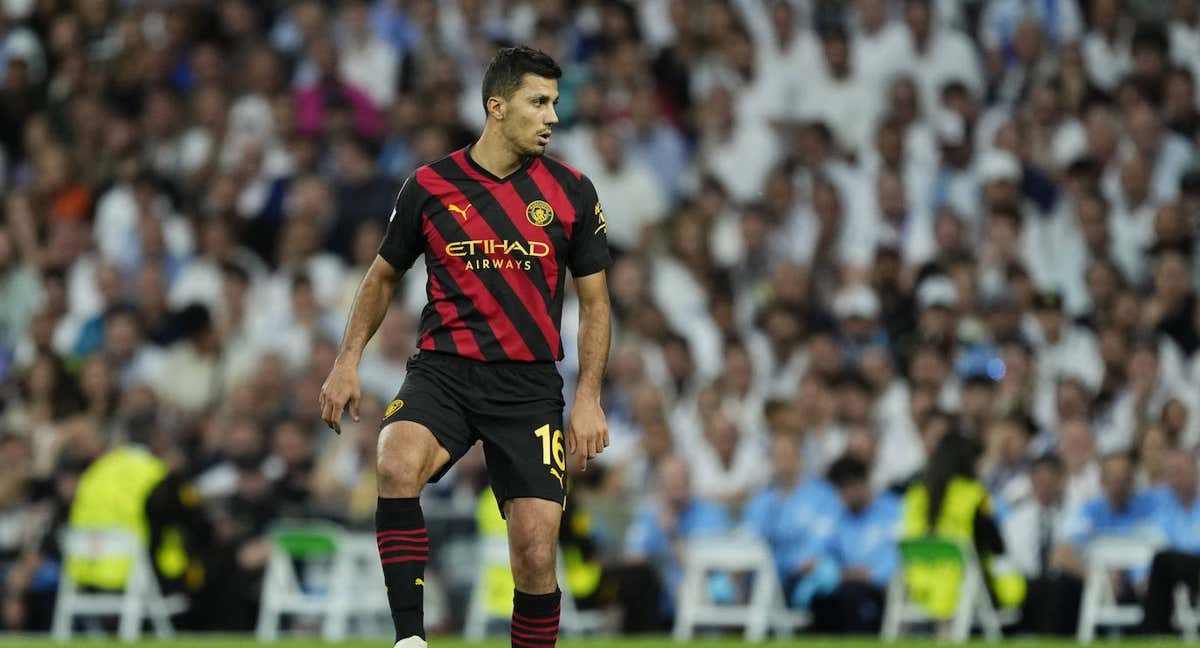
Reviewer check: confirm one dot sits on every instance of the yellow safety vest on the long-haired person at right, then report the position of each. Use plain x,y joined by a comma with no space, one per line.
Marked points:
937,587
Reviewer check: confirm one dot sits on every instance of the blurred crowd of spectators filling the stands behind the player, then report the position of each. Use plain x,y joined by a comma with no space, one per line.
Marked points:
841,230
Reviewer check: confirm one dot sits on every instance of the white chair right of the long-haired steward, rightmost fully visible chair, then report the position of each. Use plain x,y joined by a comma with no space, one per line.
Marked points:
1100,607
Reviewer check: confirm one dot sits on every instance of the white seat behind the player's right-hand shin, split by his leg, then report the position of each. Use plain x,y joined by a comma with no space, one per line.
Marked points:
491,598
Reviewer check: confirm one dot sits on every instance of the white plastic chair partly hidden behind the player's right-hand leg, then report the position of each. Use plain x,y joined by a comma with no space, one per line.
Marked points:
494,553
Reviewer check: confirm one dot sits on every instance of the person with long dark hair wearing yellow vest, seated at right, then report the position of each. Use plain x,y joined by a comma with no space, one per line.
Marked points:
950,503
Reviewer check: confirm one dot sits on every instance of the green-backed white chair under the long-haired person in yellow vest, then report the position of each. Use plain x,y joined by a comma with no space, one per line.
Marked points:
974,605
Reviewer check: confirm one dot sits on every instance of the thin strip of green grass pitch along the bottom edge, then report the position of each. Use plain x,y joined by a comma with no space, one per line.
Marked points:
616,643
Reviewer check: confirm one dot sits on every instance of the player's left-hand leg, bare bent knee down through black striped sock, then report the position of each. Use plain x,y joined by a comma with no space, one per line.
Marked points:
407,457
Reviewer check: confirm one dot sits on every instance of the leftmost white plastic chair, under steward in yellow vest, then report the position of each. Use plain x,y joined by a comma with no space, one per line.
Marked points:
141,599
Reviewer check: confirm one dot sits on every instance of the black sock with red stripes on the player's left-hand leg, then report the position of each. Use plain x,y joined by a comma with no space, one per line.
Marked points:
404,551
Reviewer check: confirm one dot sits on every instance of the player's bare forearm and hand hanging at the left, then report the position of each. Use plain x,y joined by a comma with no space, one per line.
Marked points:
370,307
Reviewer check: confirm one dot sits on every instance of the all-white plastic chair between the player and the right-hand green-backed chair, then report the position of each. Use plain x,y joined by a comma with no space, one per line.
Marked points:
734,555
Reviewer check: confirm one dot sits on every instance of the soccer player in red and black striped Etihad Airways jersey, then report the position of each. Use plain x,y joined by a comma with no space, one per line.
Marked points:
500,224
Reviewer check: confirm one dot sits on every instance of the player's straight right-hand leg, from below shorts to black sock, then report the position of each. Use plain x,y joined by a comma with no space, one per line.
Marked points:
533,544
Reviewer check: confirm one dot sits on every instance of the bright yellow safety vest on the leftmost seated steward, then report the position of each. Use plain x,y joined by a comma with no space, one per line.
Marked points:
112,494
